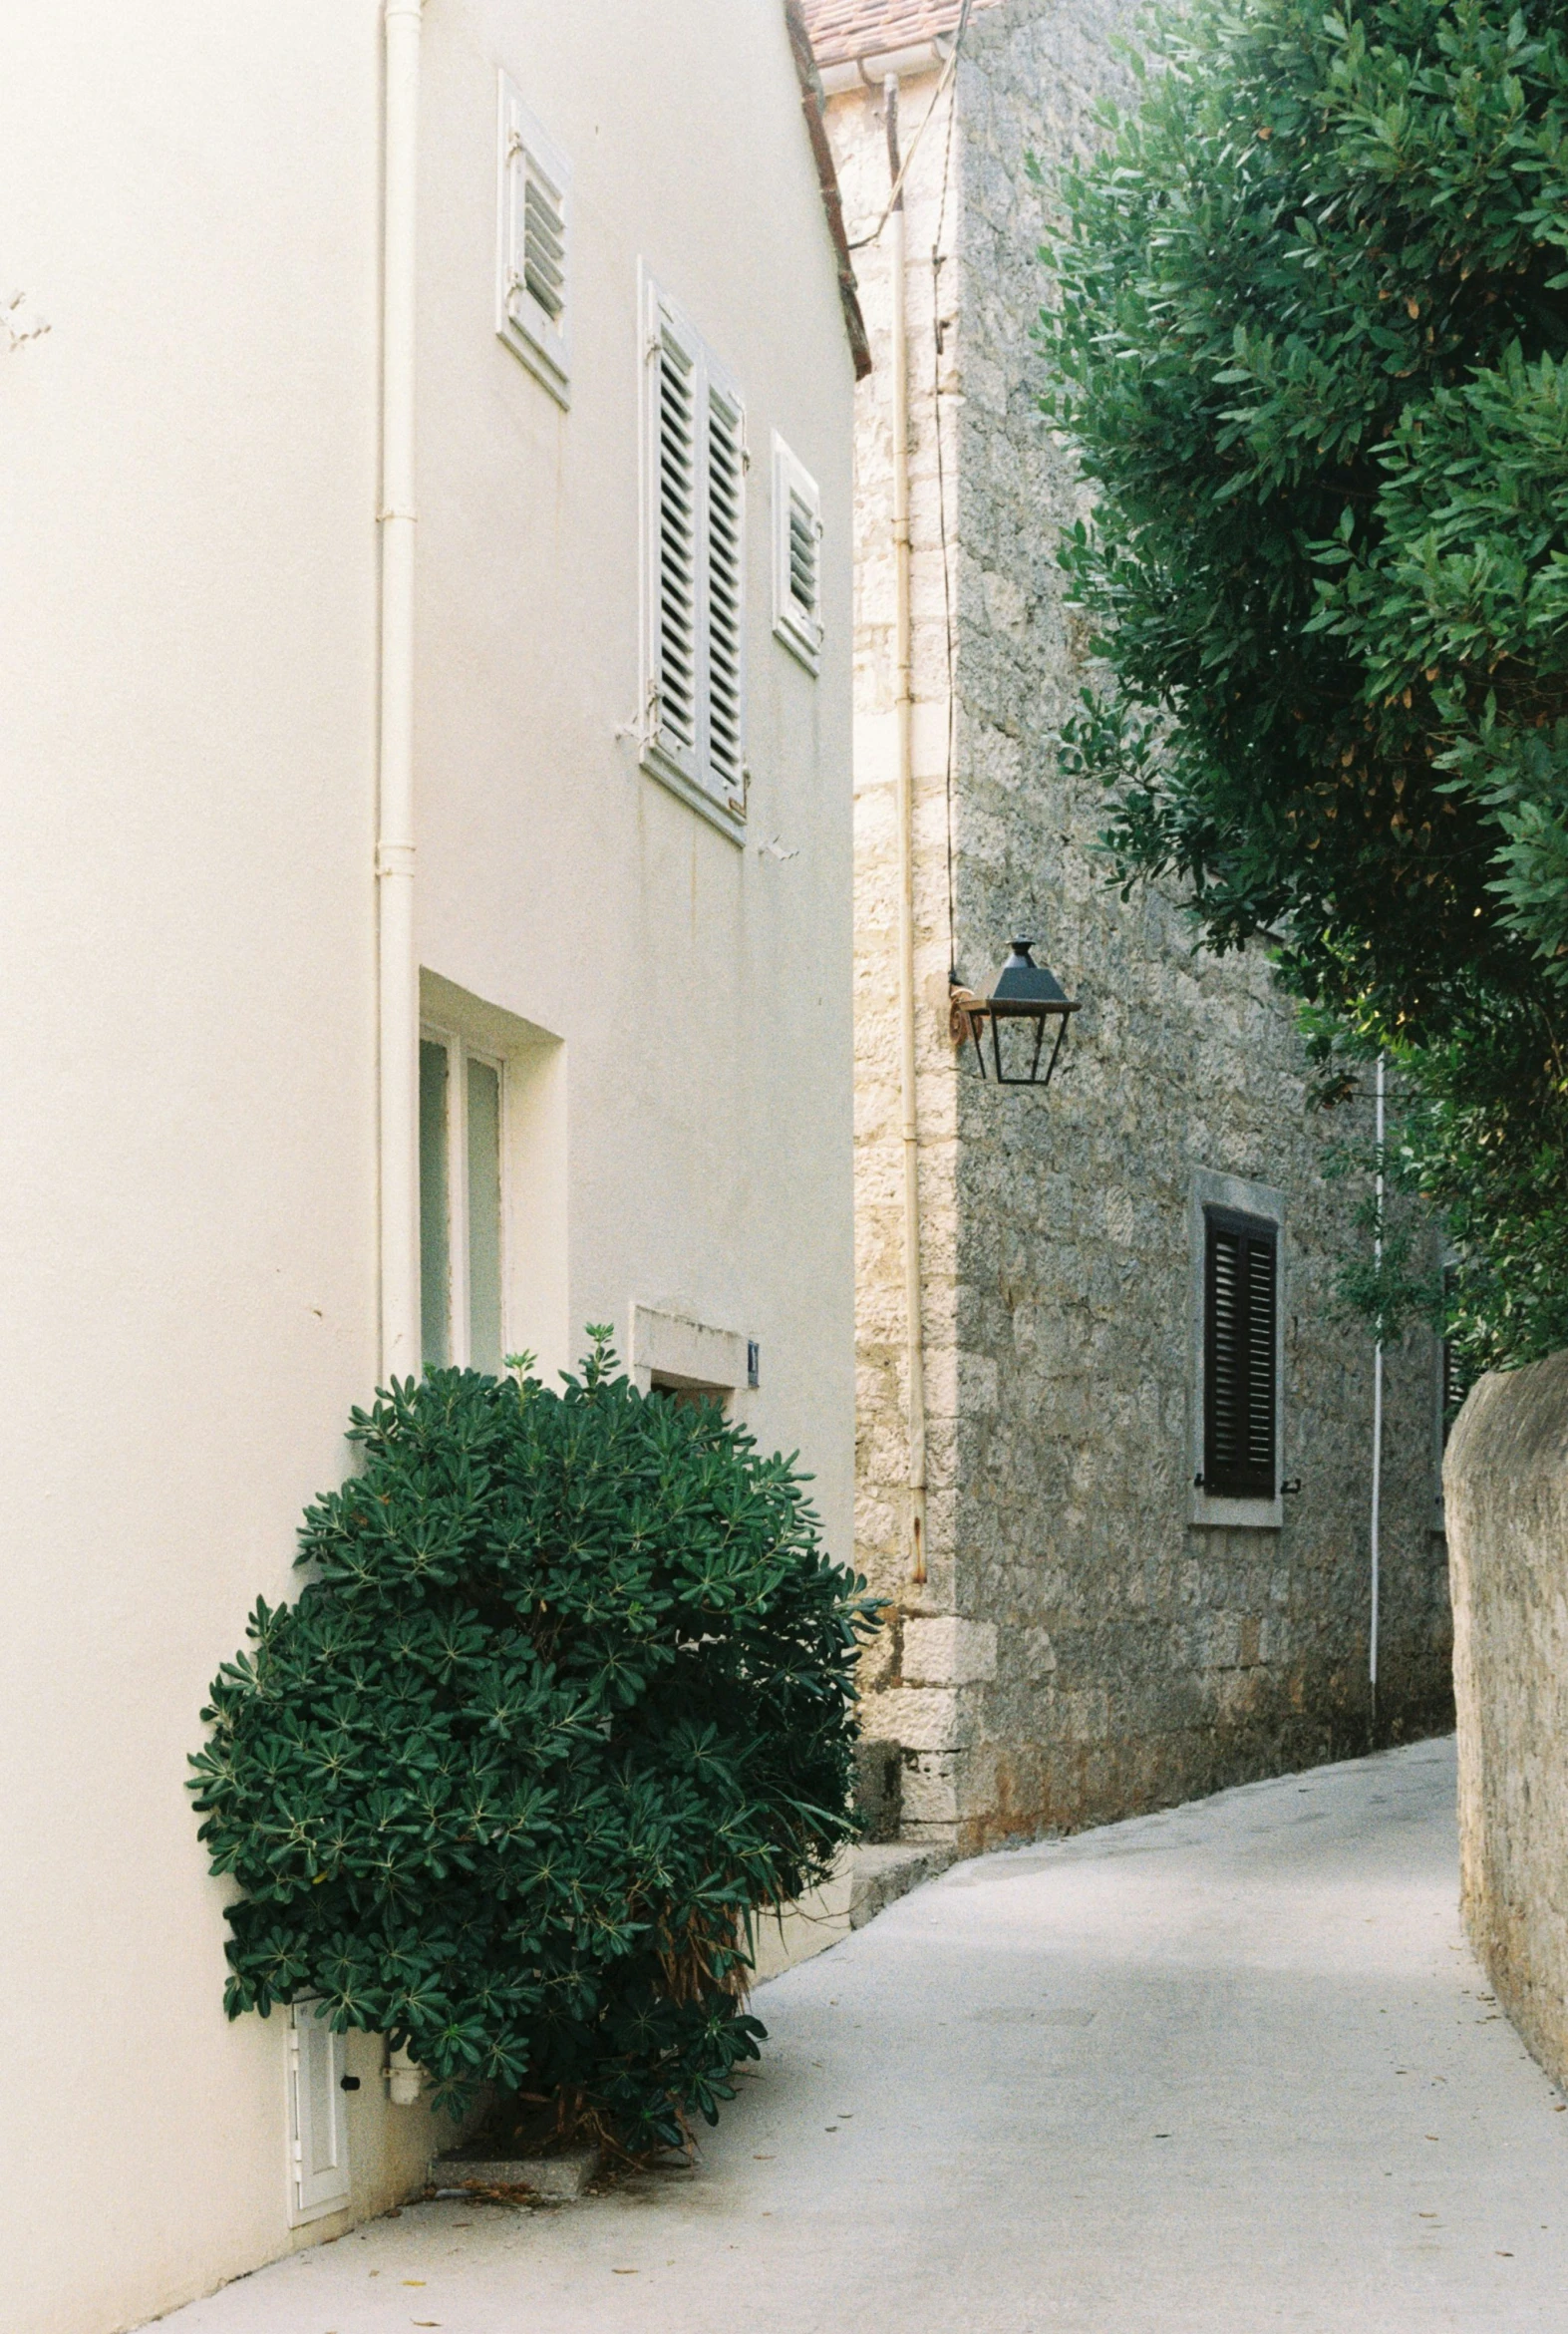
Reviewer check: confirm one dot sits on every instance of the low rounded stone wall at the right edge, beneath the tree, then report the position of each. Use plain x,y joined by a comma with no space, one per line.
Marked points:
1506,1495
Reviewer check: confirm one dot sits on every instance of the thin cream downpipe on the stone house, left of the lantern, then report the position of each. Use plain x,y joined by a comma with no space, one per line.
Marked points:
904,708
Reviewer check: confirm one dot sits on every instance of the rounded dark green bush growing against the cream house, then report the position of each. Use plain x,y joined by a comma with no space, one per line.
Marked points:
563,1712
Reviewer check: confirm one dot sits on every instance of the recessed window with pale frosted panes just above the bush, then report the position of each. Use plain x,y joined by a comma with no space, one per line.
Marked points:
461,1206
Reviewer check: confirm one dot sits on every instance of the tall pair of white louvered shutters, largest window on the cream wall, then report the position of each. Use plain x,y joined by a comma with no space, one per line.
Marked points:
696,568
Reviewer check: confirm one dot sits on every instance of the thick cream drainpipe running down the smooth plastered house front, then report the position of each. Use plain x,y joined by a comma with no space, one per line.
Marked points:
398,956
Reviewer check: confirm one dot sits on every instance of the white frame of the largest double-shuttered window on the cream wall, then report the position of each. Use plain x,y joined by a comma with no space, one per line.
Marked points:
689,771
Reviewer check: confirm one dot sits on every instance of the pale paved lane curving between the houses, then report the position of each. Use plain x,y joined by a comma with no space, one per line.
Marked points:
1219,2069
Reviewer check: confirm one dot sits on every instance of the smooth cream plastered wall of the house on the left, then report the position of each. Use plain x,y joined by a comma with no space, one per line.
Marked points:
188,753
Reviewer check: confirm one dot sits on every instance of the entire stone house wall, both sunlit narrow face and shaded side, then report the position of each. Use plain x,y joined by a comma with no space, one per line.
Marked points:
1137,1658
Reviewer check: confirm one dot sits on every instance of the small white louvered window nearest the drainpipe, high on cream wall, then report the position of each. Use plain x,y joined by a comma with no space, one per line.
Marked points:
533,246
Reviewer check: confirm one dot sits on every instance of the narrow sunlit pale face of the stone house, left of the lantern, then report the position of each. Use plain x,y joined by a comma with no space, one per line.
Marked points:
883,1523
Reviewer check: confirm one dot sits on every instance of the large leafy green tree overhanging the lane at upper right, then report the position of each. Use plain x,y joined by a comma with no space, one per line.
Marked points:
1310,342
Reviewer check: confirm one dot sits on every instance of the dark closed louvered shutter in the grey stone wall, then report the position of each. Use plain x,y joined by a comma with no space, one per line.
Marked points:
1240,1357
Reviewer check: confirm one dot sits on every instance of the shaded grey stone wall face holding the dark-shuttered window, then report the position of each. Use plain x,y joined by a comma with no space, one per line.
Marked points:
1147,1649
